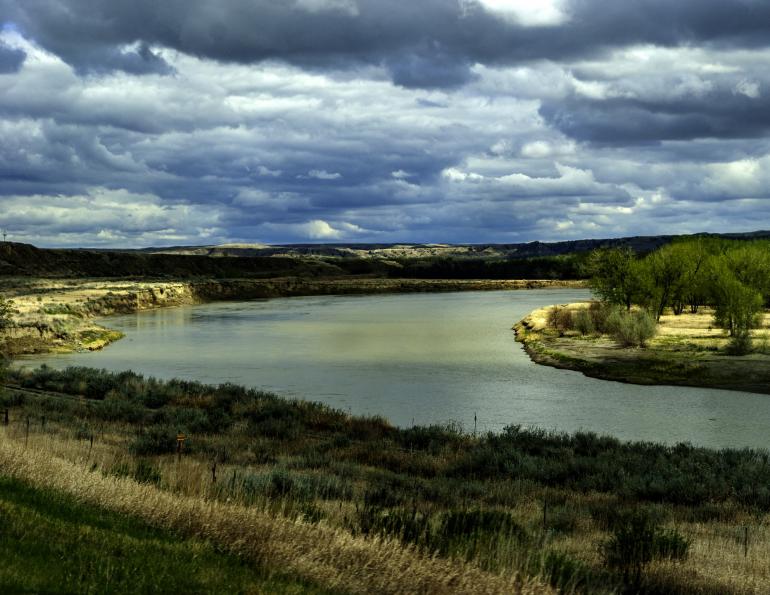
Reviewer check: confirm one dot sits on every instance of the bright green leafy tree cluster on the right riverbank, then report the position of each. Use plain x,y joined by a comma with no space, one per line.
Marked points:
732,277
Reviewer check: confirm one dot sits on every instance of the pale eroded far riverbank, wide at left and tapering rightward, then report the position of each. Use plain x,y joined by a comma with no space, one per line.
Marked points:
59,316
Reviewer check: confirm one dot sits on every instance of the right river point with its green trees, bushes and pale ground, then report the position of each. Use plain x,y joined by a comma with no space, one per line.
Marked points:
692,313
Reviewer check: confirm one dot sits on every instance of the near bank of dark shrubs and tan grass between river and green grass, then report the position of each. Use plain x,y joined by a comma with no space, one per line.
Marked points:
422,509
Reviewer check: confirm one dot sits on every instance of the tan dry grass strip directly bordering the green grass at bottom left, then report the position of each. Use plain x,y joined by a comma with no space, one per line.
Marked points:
327,556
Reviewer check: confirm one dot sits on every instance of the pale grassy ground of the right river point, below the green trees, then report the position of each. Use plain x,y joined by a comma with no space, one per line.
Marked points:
687,350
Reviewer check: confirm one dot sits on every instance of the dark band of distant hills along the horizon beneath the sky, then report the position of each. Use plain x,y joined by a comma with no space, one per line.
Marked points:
533,260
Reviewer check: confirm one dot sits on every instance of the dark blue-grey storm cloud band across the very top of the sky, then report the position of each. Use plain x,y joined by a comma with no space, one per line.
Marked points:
426,43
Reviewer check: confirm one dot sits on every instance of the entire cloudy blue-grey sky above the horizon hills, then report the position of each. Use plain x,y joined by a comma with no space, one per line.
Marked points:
141,122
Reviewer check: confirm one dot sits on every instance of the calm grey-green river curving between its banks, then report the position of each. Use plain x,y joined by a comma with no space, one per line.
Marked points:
418,358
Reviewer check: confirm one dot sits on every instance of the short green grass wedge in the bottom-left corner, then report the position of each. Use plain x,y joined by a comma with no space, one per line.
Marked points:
49,543
